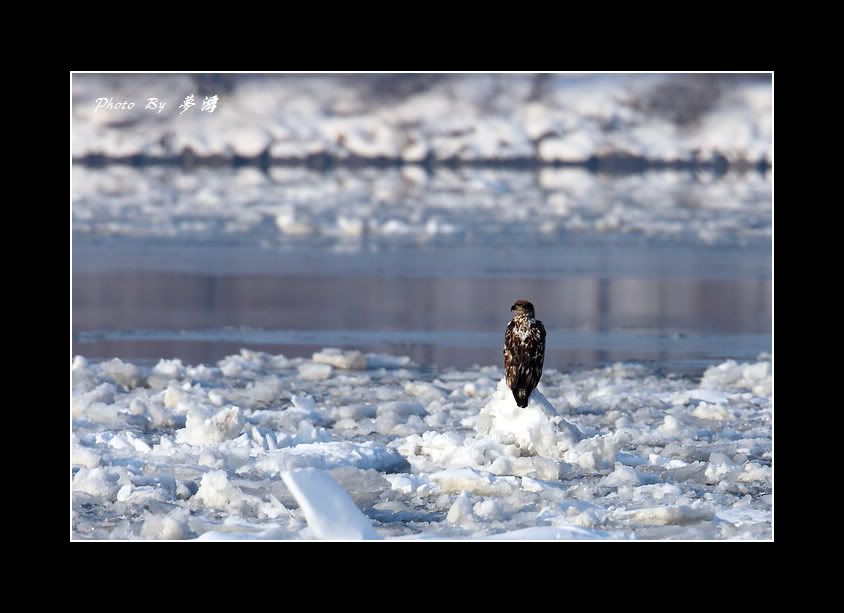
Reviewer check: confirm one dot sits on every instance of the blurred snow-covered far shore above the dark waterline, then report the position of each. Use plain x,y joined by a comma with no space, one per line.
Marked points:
612,121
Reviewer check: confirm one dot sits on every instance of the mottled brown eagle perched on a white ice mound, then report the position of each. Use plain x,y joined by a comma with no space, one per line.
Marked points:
524,351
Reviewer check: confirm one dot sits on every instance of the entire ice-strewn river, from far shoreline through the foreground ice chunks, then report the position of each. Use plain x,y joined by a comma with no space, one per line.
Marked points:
206,303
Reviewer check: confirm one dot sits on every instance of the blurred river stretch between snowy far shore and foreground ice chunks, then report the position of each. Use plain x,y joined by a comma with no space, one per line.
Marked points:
196,265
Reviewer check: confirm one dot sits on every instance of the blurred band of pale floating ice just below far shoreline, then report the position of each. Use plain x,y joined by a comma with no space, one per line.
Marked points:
363,209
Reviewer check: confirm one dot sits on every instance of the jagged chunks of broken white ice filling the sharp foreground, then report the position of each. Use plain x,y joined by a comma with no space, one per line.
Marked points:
213,451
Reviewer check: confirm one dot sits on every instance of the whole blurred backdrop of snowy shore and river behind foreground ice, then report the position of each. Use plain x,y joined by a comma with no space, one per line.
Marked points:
405,213
